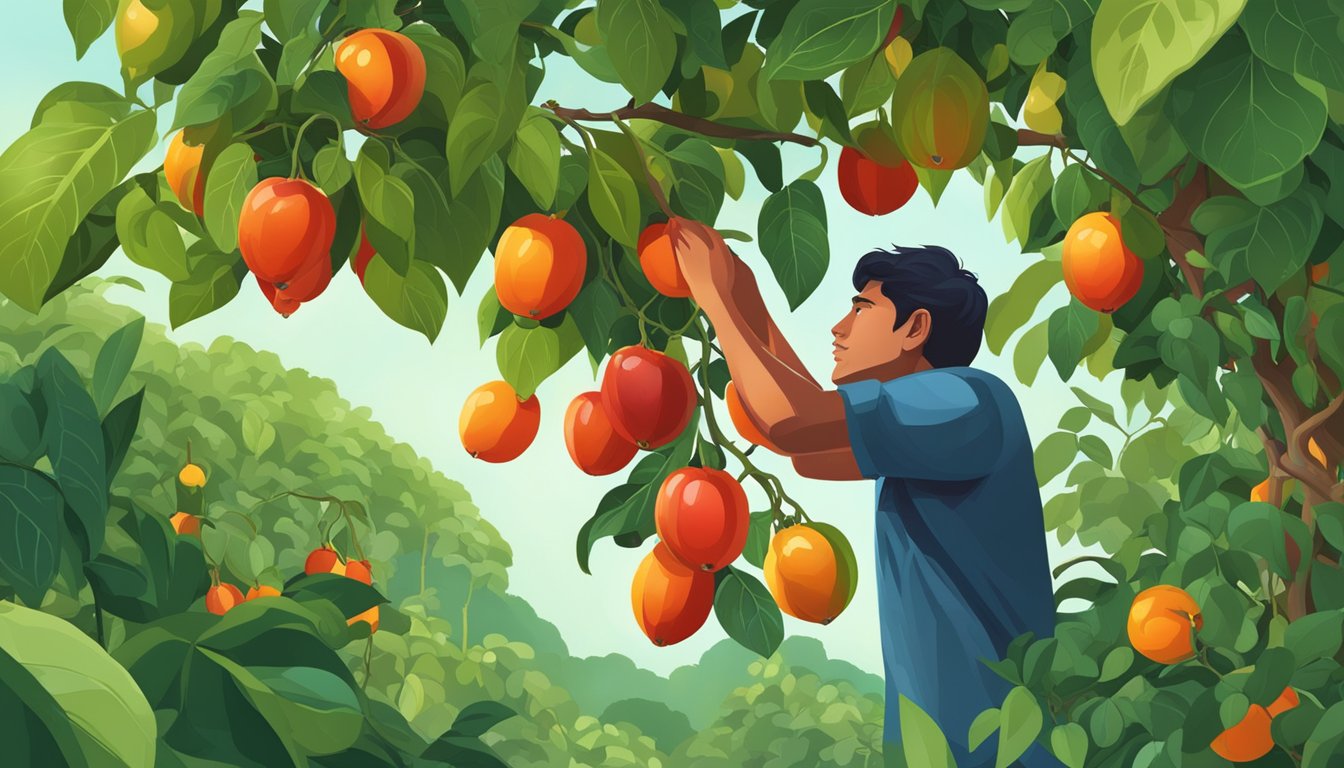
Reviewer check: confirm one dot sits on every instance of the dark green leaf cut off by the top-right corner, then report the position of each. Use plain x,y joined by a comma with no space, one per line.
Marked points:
1298,37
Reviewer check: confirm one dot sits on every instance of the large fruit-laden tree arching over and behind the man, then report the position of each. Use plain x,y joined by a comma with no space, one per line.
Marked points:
1179,165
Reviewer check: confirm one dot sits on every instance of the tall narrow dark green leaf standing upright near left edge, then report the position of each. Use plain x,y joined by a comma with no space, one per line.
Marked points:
76,449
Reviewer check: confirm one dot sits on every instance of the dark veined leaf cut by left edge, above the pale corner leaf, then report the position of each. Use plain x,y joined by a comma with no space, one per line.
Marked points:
30,552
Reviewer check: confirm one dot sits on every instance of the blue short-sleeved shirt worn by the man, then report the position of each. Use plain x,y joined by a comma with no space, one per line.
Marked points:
960,543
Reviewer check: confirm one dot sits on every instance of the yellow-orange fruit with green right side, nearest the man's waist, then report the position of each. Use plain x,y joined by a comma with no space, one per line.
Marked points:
811,572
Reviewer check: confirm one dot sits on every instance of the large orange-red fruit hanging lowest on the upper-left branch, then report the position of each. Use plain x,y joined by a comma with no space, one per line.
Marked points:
286,227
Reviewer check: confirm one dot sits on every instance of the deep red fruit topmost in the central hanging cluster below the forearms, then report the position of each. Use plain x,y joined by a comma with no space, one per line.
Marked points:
648,396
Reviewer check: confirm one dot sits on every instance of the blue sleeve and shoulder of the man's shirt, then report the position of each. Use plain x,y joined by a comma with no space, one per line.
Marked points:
932,427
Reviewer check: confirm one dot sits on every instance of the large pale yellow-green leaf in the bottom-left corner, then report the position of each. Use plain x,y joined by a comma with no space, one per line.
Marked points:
112,722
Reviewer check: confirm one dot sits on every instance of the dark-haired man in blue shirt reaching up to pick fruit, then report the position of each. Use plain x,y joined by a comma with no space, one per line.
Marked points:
960,535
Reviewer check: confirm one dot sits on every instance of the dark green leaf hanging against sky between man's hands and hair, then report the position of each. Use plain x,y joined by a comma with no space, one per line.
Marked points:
794,239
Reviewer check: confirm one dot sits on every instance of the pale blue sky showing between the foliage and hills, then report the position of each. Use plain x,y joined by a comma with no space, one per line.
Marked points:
540,501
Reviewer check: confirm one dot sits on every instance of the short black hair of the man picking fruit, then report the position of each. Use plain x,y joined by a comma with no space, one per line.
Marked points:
931,278
